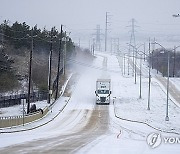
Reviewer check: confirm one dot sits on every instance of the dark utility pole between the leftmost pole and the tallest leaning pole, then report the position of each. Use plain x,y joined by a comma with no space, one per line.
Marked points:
49,73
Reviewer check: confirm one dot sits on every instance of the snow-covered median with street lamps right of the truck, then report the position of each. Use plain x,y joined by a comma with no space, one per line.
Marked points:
128,105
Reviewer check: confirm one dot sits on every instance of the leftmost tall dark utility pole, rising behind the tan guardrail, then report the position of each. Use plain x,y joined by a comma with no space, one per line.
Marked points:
30,72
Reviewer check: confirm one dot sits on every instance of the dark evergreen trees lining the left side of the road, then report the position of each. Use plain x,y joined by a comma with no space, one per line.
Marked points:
16,40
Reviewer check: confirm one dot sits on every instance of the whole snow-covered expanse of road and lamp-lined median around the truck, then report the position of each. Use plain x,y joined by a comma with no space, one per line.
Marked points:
72,131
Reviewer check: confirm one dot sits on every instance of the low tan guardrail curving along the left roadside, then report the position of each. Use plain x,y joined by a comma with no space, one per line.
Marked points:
11,121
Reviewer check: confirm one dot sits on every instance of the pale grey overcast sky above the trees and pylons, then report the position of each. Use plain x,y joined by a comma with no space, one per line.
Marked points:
82,16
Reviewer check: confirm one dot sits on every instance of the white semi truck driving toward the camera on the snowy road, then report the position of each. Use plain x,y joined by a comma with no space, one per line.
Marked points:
103,87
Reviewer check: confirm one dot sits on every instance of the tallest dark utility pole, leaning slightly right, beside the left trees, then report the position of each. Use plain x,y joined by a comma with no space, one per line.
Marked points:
59,60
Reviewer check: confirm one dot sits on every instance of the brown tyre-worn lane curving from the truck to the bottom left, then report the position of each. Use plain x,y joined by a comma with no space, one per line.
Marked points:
70,143
